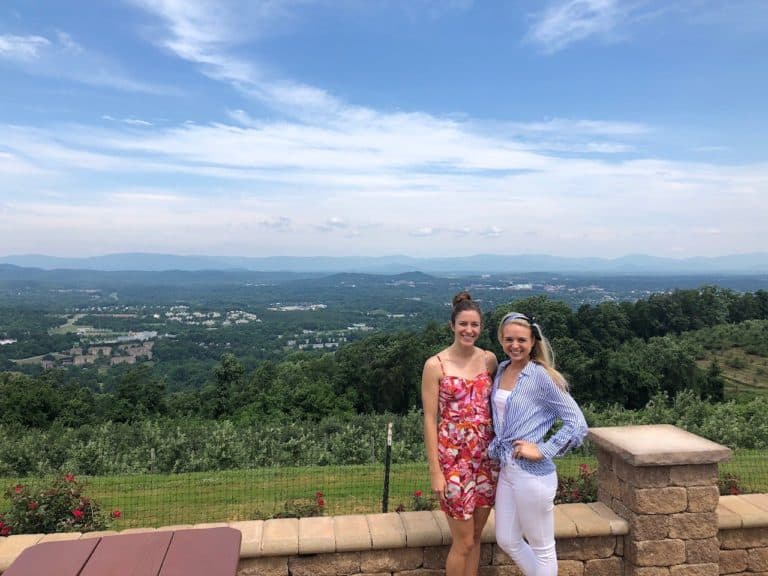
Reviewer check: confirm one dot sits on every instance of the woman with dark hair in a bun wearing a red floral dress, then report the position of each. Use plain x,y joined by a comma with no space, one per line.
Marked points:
455,388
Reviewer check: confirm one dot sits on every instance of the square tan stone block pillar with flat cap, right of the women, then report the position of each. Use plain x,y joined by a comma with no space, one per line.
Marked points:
663,481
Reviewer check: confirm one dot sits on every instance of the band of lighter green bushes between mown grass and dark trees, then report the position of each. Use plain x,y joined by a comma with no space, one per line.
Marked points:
197,445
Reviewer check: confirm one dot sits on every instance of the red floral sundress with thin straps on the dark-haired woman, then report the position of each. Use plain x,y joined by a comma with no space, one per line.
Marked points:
463,435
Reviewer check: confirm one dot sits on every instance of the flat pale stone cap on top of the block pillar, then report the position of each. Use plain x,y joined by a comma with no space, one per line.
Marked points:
658,445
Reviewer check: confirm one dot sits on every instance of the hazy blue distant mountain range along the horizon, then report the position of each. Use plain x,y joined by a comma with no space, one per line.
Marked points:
756,263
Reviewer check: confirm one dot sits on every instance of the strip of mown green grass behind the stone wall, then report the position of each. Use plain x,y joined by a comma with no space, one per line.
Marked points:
167,499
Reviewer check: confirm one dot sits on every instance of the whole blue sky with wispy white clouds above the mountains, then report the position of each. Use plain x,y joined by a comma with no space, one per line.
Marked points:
428,128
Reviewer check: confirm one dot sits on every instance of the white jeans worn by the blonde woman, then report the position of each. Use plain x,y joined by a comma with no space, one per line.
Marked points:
525,507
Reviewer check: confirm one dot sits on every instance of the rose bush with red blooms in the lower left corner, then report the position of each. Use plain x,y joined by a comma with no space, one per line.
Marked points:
57,507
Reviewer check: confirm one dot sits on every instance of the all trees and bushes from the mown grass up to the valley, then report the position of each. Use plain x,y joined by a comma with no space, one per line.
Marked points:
695,357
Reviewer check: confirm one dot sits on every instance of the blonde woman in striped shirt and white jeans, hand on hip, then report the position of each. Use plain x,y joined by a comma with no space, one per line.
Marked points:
528,396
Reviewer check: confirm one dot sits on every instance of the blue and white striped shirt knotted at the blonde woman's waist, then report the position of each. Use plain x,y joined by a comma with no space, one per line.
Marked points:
534,404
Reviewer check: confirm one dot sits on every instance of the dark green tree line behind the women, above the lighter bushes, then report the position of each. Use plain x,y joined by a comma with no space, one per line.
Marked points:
612,353
